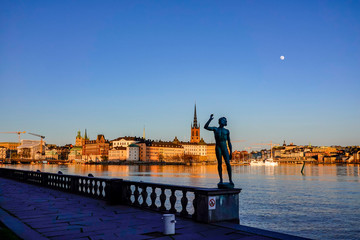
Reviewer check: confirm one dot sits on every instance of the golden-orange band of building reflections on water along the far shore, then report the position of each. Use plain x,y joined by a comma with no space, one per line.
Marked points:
311,171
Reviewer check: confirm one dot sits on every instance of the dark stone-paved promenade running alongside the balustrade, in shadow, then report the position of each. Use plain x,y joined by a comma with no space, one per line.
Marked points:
34,212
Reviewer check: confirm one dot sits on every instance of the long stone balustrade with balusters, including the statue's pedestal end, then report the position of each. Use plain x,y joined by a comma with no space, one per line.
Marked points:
201,204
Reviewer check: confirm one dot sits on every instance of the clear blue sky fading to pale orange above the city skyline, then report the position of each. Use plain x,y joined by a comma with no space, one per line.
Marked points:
113,67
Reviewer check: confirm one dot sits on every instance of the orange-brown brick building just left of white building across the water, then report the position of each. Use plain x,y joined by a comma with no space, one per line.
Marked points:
96,150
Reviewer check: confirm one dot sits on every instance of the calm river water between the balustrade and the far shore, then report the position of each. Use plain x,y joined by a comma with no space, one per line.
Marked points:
321,204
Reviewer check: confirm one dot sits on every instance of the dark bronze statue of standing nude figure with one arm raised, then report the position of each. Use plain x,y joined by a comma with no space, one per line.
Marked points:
222,139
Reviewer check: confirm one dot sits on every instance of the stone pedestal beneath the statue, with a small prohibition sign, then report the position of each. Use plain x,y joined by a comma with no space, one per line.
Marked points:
216,205
